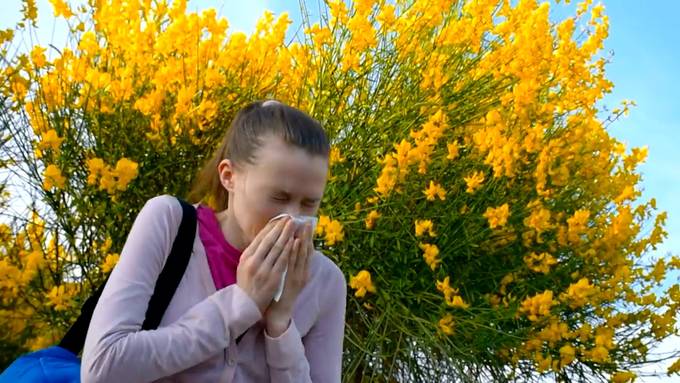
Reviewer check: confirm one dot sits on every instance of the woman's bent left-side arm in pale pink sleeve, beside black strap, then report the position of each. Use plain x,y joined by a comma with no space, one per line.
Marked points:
117,350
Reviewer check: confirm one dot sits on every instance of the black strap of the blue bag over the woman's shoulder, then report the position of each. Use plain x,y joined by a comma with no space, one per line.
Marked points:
166,284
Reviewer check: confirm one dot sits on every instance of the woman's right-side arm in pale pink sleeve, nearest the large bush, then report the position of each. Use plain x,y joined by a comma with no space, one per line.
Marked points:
317,357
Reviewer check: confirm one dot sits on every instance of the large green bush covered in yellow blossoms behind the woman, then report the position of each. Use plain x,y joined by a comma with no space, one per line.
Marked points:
486,220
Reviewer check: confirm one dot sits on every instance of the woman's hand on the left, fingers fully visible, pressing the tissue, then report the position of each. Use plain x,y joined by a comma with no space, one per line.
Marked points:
264,260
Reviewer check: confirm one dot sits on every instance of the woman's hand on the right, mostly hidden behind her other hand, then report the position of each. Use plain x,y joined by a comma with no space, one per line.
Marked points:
278,314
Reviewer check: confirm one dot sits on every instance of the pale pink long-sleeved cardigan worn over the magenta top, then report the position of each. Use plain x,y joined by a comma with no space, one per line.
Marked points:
196,339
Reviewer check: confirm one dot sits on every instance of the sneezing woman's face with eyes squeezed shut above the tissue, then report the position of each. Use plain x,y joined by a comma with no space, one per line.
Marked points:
282,179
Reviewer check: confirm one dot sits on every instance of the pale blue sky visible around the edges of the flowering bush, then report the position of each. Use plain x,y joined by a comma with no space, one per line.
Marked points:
644,38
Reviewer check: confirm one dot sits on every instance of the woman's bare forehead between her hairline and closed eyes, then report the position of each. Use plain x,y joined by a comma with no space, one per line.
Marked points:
283,166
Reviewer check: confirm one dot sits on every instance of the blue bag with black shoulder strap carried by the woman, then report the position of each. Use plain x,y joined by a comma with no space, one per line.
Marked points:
60,364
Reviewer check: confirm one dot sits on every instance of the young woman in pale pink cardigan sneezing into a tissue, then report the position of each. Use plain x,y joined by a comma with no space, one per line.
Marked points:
222,324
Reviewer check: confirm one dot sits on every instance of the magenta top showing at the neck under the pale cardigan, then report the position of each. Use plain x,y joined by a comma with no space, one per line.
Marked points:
222,256
